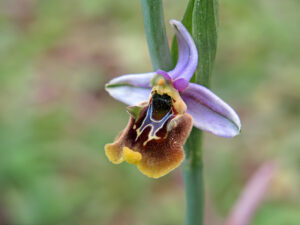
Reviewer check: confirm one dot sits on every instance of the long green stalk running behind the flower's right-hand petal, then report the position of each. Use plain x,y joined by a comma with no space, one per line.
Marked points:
204,32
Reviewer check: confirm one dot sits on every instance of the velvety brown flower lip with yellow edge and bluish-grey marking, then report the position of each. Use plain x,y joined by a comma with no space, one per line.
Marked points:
154,146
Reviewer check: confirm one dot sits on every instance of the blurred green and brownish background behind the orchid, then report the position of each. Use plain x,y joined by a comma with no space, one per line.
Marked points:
55,116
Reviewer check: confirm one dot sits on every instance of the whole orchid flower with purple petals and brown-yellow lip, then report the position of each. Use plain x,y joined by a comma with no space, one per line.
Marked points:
163,107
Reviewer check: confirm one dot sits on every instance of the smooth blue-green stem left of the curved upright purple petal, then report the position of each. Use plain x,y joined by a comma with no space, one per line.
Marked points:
156,34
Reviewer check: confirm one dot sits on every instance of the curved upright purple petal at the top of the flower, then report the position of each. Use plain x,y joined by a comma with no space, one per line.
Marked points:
187,53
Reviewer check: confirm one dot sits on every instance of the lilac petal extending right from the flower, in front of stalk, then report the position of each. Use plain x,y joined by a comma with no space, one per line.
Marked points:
210,113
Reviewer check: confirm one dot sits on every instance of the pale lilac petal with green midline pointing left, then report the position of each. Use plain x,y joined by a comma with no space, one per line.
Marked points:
130,89
